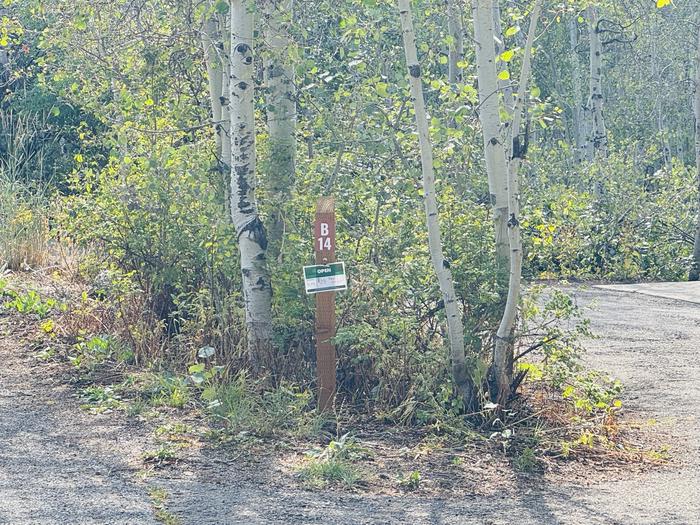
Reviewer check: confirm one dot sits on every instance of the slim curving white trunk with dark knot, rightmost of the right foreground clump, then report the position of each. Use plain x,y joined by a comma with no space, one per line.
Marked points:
503,348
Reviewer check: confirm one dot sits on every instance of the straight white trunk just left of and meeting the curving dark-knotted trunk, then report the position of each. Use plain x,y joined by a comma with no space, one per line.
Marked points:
494,151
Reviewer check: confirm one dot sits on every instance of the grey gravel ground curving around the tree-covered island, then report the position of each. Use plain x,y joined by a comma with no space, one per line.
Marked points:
59,464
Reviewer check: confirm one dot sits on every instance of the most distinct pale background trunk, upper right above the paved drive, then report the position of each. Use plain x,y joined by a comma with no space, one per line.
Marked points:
598,137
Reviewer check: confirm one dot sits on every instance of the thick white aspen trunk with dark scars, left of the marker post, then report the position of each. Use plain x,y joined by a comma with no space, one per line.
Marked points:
252,237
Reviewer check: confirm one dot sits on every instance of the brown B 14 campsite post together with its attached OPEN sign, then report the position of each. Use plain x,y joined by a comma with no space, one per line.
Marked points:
323,280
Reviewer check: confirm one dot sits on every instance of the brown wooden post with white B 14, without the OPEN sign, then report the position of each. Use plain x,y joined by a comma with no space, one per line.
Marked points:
324,246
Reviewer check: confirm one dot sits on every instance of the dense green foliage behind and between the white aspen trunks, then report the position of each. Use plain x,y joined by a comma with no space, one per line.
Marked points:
109,101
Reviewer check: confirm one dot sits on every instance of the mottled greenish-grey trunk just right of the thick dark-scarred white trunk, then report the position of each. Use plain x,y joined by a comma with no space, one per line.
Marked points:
281,116
